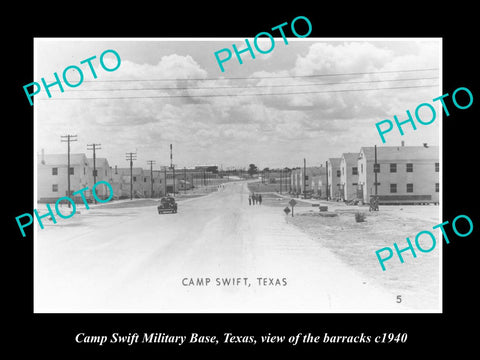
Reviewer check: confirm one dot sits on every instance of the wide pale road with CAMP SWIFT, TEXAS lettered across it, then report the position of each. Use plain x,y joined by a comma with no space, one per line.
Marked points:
132,259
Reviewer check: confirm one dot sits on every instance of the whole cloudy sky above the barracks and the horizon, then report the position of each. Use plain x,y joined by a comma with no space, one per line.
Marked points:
273,111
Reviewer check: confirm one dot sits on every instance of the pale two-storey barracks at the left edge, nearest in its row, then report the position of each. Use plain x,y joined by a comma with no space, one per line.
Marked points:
52,177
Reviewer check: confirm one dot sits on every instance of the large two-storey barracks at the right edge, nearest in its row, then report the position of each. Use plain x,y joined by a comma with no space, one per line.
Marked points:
407,174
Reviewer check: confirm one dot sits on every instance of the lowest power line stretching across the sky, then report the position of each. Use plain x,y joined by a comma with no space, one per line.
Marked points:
226,95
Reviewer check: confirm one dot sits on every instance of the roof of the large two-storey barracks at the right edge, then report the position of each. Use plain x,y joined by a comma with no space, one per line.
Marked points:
401,153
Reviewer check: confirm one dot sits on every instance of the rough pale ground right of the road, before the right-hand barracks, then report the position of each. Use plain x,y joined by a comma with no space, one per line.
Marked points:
417,280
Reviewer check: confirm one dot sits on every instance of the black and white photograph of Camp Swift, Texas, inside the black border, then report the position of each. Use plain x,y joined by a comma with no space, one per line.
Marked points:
219,175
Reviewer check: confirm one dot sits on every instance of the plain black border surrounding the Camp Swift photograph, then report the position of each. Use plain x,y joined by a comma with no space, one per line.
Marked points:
53,334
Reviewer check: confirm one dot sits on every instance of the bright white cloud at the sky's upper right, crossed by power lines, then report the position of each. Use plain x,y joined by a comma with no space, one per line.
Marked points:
362,58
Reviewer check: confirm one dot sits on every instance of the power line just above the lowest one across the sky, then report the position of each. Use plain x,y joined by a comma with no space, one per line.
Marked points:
256,86
